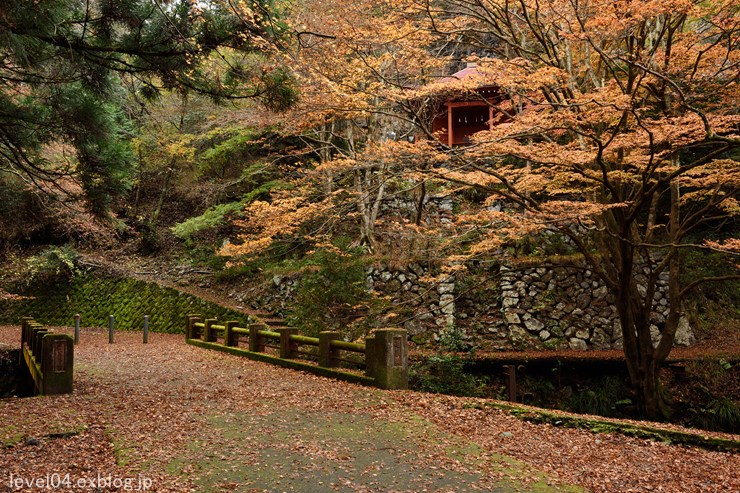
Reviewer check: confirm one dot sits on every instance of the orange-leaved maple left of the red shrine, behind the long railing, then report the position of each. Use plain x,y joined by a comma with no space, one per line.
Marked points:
355,62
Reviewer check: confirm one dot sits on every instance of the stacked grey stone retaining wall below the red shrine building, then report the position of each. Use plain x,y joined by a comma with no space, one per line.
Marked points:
559,308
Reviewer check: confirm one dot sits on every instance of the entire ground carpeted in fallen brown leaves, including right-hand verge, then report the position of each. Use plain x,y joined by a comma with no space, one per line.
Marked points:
189,419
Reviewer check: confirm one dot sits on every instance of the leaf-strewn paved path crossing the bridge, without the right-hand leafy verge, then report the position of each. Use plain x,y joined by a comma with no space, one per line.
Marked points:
192,419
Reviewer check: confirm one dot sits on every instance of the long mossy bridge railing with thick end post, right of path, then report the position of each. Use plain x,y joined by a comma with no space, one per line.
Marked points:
383,356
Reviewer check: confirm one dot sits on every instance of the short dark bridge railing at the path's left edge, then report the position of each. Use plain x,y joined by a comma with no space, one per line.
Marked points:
48,358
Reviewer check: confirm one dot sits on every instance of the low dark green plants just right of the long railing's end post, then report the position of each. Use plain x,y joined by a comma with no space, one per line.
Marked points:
446,374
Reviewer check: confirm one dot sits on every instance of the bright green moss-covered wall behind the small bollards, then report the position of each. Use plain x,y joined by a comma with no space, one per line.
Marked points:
96,296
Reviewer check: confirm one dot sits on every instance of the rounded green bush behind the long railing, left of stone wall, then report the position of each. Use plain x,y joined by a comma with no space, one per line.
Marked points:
331,293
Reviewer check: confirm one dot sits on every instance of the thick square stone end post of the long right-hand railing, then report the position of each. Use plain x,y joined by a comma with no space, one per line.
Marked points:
389,359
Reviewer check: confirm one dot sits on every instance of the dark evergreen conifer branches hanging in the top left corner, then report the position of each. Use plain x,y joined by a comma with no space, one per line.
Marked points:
61,106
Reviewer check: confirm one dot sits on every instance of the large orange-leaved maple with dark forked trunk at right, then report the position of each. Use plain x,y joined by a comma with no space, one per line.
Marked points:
619,130
